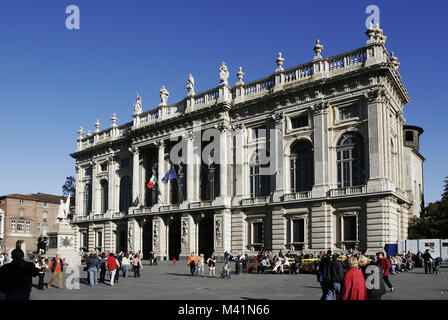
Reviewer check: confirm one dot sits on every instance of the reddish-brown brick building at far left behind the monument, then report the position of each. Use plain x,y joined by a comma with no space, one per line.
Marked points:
26,219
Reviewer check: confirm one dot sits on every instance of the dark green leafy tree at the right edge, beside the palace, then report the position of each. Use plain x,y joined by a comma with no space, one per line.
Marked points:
433,222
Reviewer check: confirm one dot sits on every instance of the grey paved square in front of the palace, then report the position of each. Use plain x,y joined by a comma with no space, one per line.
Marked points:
174,282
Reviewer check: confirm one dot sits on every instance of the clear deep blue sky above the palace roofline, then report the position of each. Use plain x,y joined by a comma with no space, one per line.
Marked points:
53,80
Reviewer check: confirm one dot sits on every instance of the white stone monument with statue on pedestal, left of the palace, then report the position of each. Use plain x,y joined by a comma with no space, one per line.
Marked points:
62,237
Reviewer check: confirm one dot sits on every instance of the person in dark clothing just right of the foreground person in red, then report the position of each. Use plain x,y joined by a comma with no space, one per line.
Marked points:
374,278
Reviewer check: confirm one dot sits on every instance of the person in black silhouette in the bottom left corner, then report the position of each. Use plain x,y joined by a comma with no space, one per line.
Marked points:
16,278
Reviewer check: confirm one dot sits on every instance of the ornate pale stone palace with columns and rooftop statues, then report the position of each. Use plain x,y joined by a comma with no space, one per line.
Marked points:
341,172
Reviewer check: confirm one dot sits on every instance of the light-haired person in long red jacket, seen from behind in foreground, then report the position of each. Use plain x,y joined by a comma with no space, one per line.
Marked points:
354,283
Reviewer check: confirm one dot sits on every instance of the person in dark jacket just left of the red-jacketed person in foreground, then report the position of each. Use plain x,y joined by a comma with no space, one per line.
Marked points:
333,276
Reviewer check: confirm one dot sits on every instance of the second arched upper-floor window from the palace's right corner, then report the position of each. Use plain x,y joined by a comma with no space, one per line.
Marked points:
302,167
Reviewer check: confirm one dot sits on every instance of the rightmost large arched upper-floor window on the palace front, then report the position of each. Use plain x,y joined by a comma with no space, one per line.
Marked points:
350,160
